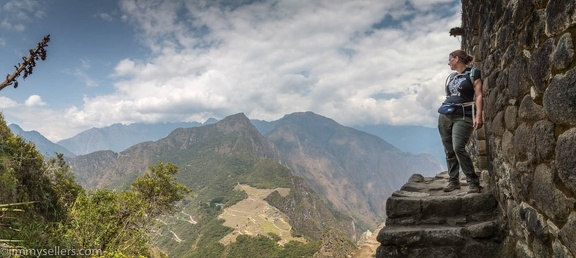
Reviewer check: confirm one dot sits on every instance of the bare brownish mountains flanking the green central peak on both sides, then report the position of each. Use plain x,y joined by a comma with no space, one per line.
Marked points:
353,170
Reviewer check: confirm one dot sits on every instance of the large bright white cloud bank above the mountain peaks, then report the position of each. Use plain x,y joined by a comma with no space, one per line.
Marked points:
358,62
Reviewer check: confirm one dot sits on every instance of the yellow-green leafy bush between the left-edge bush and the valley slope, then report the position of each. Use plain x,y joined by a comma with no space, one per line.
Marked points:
119,223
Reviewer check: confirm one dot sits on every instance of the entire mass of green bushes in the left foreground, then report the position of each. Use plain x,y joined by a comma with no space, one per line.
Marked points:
43,207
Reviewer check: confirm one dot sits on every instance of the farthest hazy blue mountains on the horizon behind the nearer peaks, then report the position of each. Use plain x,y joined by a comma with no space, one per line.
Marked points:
118,137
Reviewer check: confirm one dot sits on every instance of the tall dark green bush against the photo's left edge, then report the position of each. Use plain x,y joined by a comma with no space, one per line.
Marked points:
36,195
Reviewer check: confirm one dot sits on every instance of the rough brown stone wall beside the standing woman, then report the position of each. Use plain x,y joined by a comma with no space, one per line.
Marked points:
525,50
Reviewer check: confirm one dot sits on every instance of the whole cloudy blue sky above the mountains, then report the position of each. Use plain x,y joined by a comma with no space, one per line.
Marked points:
358,62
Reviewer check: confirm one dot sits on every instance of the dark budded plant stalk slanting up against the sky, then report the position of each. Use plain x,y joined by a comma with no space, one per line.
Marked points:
39,53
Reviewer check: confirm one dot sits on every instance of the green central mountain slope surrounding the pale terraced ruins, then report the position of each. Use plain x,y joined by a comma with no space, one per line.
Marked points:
214,160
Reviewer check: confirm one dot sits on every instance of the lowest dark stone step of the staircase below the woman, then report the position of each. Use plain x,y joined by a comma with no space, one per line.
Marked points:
480,239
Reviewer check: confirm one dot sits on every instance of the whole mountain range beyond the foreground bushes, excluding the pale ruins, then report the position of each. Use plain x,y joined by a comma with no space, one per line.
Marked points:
338,177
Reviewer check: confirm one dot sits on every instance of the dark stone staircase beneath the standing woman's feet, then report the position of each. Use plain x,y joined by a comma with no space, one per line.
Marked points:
423,221
